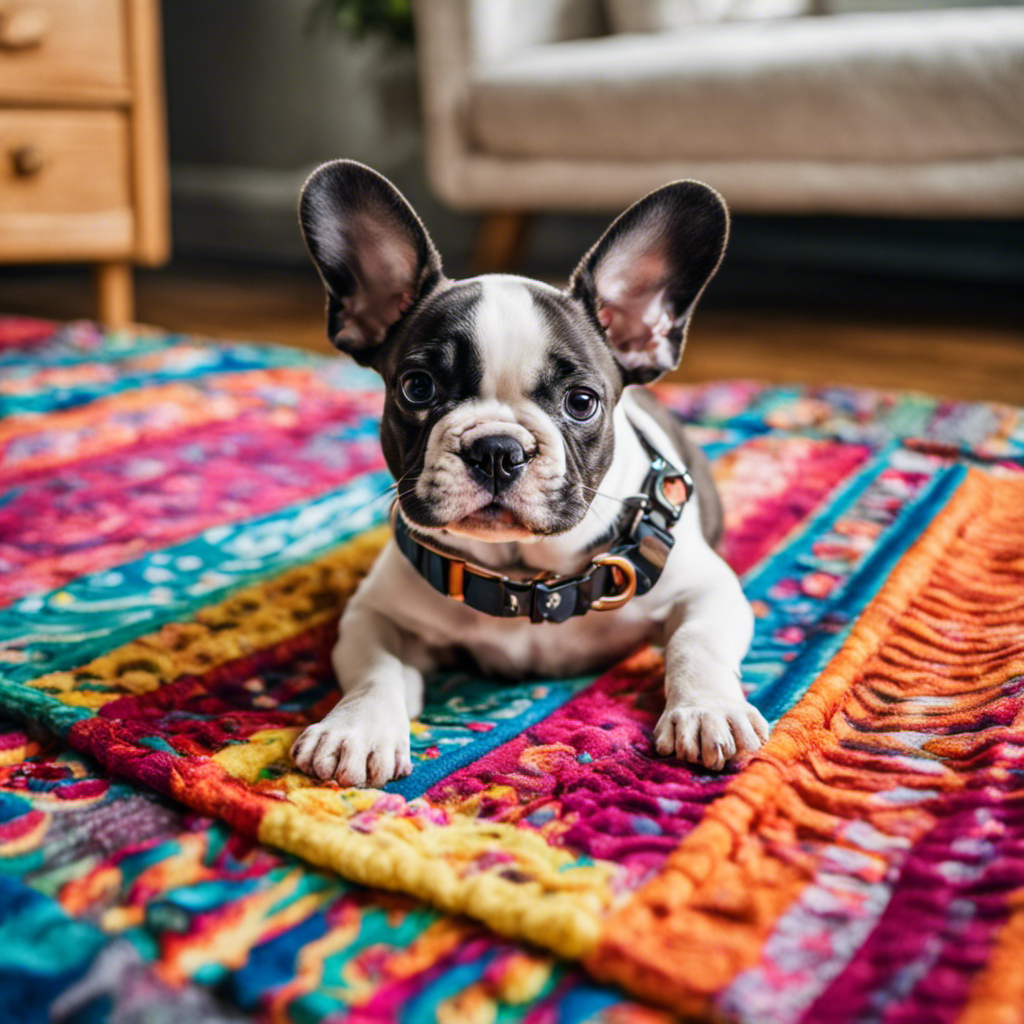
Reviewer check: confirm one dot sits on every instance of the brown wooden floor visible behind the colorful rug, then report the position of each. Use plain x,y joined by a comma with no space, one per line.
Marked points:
957,360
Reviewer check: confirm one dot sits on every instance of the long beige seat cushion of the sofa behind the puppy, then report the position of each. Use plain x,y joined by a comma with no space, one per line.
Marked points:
903,87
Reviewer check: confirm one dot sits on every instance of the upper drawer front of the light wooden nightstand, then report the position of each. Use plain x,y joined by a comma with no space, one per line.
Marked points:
63,52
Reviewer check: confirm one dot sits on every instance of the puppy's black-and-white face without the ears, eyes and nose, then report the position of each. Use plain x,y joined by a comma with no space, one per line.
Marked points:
503,354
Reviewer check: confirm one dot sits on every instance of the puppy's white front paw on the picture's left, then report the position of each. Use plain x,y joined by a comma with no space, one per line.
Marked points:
359,744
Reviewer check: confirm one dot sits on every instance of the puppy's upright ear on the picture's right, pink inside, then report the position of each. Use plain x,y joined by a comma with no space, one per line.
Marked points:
647,273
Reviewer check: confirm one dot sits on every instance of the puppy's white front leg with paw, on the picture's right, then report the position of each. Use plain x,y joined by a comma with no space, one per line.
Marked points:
707,718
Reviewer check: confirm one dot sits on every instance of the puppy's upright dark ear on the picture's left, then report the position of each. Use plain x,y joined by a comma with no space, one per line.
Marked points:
372,251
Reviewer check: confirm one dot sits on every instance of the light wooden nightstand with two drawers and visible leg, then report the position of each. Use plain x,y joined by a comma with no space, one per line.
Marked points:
83,161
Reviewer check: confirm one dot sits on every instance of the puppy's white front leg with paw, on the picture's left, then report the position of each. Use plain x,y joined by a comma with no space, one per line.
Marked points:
364,741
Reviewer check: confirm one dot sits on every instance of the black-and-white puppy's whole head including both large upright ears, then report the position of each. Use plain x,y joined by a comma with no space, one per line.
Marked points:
498,422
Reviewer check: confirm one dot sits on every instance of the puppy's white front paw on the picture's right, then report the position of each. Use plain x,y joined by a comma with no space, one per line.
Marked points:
711,733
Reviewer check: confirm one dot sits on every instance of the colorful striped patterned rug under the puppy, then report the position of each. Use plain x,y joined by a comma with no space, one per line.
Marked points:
181,524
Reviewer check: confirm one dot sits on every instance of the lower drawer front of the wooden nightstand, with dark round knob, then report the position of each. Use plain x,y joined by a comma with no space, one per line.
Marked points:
65,185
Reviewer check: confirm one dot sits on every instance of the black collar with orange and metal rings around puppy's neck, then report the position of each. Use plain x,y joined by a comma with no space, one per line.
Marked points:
633,565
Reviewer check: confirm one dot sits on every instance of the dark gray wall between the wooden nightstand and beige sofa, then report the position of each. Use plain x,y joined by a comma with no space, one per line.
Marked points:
258,98
